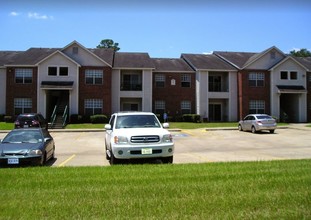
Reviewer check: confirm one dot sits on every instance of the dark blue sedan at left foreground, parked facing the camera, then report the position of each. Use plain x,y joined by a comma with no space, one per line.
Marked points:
27,146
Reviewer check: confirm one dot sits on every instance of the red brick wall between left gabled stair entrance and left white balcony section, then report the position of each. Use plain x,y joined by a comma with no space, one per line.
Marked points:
102,92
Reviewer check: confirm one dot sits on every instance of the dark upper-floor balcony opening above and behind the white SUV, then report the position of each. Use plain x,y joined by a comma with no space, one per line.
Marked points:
131,81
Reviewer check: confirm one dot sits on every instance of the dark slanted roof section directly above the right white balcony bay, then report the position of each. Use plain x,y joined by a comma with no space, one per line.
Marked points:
207,62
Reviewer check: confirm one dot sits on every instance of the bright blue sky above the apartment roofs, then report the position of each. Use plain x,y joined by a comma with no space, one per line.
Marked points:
162,28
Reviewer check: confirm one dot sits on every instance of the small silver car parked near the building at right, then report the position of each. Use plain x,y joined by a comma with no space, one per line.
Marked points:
257,122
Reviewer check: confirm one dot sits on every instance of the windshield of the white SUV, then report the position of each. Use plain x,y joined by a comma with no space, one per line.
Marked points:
137,121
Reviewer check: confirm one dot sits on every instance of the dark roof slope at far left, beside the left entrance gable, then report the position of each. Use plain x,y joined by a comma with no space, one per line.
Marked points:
30,57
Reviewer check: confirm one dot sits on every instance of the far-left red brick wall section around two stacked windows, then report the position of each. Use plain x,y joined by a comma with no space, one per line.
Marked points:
18,90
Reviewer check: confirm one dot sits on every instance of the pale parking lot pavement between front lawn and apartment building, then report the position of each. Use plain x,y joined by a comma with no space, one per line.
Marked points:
86,148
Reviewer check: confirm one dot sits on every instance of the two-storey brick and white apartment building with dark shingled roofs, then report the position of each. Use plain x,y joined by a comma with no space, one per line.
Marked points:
223,86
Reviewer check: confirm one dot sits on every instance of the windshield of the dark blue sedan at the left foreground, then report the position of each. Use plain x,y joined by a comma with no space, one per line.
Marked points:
21,136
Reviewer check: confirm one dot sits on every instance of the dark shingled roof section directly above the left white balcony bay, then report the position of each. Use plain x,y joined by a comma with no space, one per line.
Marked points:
132,61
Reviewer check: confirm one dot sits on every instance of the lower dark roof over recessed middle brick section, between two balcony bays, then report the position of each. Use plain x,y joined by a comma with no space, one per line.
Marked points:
171,65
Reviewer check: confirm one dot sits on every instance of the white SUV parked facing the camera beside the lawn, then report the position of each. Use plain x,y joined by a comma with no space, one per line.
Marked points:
133,135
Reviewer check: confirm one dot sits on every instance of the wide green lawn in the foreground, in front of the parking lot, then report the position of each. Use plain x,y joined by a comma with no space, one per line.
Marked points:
248,190
